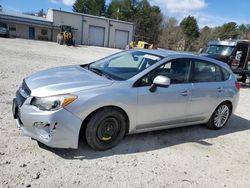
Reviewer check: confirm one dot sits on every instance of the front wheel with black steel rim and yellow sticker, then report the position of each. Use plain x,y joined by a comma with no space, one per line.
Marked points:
106,128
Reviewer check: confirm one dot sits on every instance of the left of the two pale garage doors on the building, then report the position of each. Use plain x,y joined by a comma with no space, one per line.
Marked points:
96,36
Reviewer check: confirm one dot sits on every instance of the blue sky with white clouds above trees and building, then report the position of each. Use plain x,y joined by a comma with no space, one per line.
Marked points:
207,12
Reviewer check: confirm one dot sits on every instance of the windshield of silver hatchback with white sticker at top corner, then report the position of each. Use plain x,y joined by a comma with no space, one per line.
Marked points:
124,65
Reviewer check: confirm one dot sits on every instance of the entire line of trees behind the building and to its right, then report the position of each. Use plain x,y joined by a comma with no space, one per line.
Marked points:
152,26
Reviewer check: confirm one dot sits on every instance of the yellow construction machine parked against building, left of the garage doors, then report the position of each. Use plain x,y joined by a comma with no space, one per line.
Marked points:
65,36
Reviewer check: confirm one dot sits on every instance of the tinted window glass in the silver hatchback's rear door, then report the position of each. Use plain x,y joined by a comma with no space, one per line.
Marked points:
204,71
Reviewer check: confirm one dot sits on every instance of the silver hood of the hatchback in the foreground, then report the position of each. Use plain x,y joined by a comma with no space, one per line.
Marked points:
62,80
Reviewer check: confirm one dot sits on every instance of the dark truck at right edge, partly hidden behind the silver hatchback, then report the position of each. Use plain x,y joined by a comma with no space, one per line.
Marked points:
236,53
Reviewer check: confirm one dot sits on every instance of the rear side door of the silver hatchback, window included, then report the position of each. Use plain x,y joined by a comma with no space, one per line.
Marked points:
207,88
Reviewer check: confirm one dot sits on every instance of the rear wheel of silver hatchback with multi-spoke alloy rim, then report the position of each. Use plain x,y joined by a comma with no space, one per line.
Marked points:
220,116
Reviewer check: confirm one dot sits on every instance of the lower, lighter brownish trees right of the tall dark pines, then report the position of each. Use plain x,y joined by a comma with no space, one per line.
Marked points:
187,36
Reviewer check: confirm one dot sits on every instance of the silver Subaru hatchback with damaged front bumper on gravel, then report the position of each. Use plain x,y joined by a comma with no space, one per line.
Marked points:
129,92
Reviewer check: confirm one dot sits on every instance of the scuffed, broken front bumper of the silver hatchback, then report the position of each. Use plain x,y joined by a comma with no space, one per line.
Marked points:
57,129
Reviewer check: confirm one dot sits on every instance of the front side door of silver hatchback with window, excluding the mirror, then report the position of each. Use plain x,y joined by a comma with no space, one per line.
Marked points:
165,106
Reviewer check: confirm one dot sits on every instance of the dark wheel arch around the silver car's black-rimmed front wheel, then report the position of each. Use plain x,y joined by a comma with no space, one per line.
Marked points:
86,120
